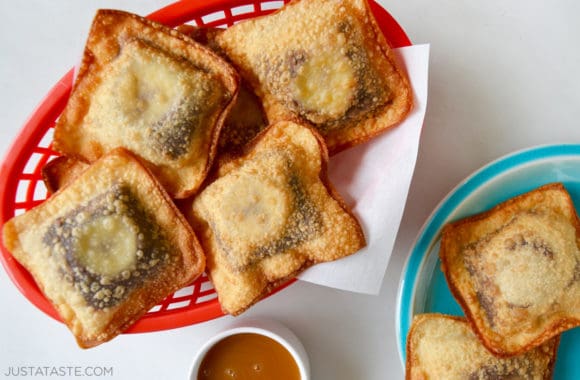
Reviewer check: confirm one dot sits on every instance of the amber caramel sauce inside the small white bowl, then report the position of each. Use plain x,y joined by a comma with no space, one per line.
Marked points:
248,356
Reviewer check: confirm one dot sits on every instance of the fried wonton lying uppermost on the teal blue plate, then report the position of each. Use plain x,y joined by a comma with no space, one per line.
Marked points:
515,269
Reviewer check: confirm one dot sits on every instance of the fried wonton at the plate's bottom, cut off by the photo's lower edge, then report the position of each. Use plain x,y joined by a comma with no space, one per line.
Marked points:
445,347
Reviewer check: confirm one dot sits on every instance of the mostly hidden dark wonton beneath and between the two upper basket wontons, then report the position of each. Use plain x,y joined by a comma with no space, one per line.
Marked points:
246,118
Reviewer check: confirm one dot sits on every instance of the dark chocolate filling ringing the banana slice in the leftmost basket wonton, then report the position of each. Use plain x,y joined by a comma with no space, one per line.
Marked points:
98,290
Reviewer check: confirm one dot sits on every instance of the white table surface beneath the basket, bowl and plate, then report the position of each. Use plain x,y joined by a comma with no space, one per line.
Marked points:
503,76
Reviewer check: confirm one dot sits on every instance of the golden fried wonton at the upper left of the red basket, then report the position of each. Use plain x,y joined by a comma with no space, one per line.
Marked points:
153,91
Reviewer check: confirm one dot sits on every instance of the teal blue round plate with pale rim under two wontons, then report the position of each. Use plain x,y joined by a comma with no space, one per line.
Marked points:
423,287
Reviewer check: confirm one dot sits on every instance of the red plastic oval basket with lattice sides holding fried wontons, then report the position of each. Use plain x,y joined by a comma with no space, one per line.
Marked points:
21,186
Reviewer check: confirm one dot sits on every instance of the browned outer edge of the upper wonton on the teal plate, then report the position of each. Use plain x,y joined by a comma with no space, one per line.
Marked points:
477,325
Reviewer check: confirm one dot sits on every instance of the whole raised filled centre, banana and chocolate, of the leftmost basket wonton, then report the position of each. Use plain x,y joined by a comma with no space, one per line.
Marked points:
107,247
